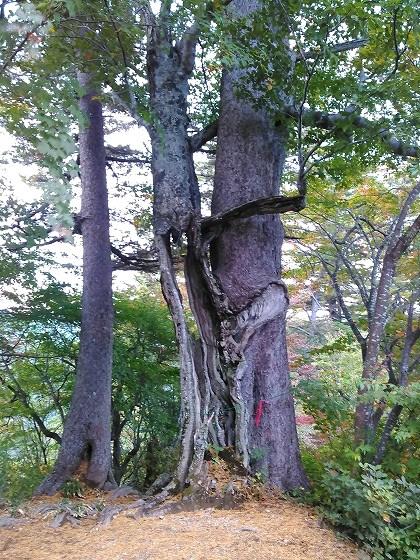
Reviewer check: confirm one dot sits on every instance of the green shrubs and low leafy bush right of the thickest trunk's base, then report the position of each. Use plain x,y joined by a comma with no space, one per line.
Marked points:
379,506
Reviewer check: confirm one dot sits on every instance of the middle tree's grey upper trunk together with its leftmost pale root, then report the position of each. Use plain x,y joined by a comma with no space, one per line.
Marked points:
176,209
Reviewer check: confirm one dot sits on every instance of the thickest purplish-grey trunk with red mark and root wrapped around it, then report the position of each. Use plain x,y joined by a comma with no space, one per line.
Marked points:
246,262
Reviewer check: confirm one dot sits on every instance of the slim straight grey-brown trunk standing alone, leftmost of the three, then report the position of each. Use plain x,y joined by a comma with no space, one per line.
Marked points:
87,430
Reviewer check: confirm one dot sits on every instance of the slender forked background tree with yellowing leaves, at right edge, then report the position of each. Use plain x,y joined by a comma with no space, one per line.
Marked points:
366,250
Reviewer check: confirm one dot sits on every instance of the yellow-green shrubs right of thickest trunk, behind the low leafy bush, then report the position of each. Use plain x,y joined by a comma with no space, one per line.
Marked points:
329,395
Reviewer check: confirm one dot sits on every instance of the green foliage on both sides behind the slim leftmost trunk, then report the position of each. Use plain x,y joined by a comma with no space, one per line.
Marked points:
39,341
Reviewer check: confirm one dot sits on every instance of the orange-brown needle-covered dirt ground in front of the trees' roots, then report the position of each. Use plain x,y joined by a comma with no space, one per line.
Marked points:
266,530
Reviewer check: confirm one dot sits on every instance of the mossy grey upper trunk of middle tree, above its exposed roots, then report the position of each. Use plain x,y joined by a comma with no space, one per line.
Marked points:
176,197
